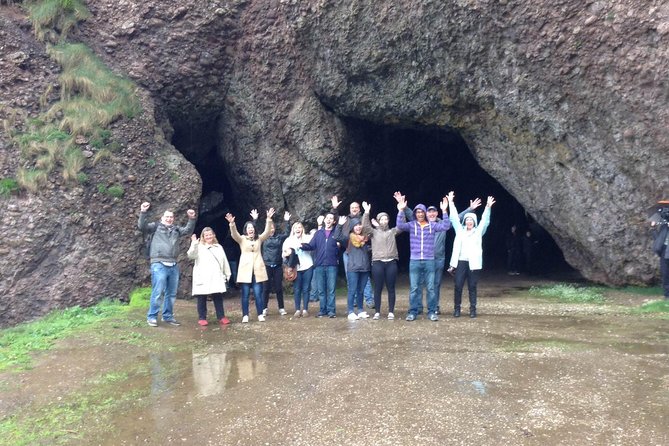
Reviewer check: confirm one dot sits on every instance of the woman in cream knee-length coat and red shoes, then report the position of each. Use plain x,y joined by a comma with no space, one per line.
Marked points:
210,274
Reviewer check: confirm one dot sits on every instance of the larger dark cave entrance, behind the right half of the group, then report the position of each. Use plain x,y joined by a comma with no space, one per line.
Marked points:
425,164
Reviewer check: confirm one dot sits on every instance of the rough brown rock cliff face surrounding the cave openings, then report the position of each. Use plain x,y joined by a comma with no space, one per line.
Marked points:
563,102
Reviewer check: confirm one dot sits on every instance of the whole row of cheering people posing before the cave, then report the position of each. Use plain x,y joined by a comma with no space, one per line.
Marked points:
369,253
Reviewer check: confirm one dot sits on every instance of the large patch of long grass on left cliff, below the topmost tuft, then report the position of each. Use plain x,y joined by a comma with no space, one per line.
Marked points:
92,97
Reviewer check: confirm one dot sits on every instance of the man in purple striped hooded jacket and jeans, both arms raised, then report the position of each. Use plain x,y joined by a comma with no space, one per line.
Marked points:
421,263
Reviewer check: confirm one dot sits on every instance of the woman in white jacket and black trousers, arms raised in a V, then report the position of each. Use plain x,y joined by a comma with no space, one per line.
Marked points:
467,256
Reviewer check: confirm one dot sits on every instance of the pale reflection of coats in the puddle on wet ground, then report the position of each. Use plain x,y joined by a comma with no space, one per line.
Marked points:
215,372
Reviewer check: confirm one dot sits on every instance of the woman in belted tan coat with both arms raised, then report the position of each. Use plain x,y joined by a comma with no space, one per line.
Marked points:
252,271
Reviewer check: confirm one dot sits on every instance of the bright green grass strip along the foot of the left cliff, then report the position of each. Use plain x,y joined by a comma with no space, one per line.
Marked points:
17,343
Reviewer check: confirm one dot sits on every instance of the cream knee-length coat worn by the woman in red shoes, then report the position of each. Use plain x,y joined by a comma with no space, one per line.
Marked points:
211,270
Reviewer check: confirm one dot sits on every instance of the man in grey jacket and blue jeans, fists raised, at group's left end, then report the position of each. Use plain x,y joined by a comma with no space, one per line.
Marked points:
163,252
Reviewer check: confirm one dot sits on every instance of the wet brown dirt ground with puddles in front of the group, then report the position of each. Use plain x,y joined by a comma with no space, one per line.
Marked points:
525,372
